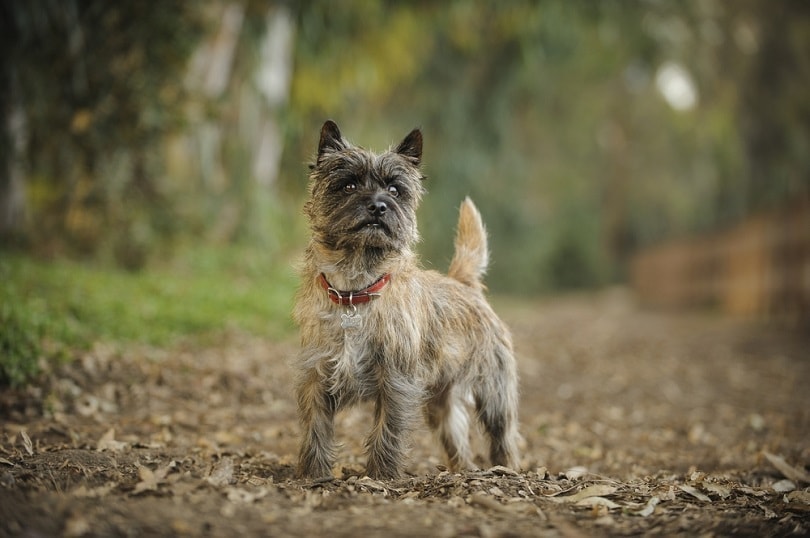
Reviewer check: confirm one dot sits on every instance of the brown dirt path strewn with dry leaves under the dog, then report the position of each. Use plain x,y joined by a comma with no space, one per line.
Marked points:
634,423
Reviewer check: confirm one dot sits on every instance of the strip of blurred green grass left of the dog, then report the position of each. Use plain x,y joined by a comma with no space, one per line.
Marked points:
52,309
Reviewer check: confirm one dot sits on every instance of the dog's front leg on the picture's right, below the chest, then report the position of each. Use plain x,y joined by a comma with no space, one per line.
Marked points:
394,413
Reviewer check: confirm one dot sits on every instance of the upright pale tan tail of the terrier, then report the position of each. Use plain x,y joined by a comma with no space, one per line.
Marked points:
472,255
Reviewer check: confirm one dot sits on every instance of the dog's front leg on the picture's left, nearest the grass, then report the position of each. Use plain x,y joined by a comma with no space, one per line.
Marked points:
316,409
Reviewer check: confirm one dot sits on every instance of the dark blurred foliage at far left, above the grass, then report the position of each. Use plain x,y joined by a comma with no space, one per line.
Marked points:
99,84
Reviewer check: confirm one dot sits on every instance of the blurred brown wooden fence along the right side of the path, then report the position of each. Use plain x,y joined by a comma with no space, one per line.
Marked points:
757,269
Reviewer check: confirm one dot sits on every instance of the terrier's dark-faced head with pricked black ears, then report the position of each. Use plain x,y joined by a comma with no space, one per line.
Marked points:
360,200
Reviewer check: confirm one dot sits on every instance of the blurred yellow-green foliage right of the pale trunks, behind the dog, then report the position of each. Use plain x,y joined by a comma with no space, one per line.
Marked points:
548,114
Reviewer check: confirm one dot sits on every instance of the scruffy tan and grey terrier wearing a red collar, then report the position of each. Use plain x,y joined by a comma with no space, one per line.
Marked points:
375,327
